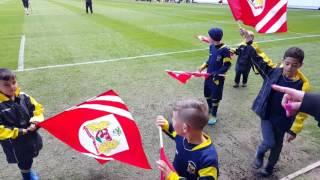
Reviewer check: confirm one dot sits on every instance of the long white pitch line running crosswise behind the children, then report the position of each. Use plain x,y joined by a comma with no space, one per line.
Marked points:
152,55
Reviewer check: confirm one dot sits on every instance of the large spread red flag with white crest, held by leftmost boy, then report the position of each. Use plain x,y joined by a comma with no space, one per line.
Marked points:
102,128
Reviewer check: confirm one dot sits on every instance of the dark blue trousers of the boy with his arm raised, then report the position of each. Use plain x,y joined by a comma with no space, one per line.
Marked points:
272,139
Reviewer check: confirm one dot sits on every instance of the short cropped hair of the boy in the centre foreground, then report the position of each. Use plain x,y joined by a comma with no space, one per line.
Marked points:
193,112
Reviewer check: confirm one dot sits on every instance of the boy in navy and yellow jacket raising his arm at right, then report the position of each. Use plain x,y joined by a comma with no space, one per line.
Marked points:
267,105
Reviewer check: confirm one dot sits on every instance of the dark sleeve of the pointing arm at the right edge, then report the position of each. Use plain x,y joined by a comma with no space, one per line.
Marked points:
311,105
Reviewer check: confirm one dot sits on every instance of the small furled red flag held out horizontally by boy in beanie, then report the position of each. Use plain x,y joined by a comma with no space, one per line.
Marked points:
184,76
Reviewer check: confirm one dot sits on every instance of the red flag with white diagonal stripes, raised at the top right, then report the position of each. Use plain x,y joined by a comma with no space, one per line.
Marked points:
266,16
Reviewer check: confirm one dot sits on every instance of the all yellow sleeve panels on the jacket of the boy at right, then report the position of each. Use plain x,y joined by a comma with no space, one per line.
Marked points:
297,125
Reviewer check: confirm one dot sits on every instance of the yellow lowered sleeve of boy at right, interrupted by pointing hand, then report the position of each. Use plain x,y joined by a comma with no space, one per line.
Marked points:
301,117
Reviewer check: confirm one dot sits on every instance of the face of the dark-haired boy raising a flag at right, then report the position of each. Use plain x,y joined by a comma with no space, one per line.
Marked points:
290,66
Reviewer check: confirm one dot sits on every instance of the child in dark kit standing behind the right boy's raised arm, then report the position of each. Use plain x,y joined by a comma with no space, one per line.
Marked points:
244,64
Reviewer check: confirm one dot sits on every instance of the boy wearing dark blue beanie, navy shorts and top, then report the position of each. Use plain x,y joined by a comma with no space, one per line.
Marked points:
218,64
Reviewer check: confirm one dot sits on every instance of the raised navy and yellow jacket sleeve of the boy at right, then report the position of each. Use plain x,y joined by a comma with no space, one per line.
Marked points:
260,60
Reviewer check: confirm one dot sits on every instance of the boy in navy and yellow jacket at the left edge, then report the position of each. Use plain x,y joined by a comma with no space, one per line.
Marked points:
19,114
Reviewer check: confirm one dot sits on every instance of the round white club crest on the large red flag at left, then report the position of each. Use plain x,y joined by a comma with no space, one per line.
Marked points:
103,136
